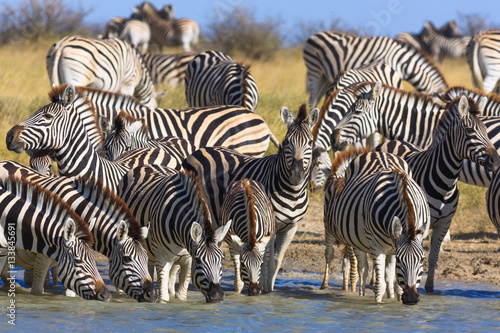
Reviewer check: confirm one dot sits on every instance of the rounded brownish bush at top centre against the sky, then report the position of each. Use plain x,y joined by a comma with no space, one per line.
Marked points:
235,31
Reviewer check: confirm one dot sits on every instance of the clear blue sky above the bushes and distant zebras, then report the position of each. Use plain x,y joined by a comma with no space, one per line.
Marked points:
378,17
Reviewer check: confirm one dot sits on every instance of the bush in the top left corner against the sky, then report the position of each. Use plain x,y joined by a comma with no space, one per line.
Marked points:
34,19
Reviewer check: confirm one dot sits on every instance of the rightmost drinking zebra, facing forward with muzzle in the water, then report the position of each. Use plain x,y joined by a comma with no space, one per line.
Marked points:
378,208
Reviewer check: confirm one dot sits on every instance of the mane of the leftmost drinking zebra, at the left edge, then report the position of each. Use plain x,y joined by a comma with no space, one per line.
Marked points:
48,201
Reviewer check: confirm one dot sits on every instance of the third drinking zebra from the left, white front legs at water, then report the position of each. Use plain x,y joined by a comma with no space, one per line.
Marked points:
180,229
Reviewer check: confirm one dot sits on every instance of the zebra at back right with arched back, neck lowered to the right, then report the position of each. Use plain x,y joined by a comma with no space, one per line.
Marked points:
327,53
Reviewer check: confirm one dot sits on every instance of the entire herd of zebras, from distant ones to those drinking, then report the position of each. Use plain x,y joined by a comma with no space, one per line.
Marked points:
156,189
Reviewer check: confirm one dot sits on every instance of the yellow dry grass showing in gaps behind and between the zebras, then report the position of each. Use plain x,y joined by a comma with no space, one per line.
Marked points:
24,86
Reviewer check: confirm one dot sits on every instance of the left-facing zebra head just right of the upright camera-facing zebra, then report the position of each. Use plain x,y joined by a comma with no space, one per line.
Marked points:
361,119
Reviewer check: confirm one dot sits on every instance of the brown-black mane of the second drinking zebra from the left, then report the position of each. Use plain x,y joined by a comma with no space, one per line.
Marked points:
98,192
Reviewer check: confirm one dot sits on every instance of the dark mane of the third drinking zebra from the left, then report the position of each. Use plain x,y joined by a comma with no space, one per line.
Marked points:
192,184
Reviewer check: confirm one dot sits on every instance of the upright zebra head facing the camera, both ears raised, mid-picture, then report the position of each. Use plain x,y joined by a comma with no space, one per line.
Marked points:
298,142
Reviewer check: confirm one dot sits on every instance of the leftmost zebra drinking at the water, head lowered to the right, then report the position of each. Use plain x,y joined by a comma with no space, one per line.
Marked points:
35,219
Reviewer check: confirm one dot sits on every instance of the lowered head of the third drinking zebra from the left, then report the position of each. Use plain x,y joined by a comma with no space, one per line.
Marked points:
206,269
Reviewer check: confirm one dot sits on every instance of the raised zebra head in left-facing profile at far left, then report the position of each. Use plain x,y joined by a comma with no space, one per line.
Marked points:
50,127
